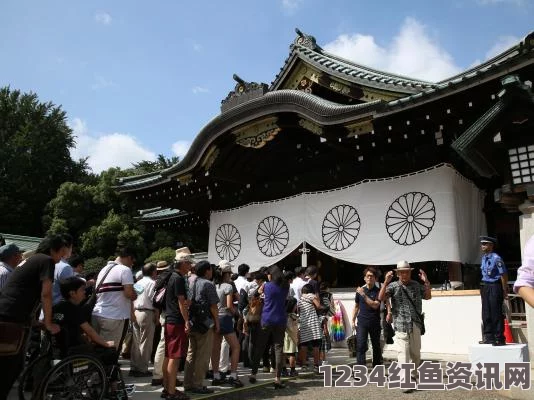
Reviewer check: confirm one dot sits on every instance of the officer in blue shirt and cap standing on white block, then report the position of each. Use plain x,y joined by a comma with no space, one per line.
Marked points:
493,291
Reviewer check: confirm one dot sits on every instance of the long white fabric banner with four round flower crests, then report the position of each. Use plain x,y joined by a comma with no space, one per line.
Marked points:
432,215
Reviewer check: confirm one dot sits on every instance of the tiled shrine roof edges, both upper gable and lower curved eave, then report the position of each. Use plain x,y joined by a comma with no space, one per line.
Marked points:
327,113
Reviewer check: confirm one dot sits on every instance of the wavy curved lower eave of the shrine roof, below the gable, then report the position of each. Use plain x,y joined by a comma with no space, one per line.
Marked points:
314,108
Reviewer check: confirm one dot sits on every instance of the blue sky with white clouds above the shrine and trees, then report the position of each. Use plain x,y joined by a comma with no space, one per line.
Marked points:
142,78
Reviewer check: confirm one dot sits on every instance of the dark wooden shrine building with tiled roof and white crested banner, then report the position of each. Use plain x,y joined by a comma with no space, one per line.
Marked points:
340,165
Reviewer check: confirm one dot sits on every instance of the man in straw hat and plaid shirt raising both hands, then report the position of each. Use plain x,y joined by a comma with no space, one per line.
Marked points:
406,297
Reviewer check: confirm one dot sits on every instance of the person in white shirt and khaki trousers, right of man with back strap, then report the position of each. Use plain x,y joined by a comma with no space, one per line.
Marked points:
144,324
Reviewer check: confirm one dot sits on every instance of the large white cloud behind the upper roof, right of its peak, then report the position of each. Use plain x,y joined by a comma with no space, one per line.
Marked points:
412,52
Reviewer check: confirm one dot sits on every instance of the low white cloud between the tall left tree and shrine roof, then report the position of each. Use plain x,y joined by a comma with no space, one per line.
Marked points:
107,150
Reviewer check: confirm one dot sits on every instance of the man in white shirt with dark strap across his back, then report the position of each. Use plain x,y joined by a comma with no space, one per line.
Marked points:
114,298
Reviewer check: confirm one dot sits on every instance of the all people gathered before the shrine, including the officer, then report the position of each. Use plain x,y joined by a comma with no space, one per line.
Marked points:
200,318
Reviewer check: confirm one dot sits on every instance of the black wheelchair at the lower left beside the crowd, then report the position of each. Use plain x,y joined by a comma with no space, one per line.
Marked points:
74,377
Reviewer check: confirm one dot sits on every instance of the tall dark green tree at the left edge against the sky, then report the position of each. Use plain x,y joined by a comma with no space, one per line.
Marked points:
34,159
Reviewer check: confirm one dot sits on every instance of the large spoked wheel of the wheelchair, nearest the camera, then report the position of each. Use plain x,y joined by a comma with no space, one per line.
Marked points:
75,377
